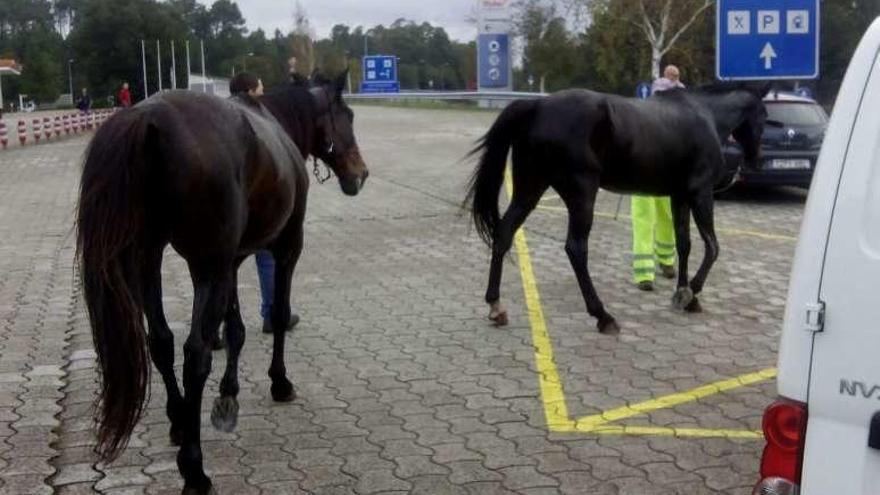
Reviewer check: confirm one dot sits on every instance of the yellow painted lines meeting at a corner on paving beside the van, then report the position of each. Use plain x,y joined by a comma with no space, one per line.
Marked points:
553,396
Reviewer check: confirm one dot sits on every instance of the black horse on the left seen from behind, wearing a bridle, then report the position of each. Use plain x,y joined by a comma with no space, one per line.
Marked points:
217,181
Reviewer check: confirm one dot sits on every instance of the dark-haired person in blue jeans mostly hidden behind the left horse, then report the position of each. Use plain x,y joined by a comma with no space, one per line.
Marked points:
248,88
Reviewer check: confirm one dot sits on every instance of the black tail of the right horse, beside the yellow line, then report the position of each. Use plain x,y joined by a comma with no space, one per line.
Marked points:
485,184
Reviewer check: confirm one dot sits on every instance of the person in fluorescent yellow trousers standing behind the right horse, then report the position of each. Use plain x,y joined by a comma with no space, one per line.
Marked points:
653,230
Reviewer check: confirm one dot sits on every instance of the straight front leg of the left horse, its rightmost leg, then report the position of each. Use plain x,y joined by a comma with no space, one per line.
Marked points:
286,256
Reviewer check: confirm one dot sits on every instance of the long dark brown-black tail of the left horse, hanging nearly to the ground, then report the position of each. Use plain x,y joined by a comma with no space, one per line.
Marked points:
110,234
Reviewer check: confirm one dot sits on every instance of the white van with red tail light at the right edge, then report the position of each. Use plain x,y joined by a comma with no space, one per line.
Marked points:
823,435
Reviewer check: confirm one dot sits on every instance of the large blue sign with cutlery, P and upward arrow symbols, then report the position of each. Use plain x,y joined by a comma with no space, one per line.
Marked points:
767,39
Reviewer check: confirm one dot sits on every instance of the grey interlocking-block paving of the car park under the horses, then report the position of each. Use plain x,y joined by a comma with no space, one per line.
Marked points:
403,385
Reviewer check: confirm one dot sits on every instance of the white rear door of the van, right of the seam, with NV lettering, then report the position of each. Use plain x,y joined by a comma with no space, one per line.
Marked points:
844,388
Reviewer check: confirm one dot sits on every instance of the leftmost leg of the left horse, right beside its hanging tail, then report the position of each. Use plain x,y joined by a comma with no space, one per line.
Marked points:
161,341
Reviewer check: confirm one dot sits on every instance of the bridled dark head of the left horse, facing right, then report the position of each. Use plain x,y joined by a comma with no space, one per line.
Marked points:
335,141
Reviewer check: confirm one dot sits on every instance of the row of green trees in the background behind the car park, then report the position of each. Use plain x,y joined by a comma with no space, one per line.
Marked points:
617,44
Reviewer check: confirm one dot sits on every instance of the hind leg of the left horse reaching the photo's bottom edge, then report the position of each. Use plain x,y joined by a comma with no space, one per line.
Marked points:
211,292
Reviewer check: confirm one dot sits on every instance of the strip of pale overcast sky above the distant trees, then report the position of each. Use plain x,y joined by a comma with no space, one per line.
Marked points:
324,14
